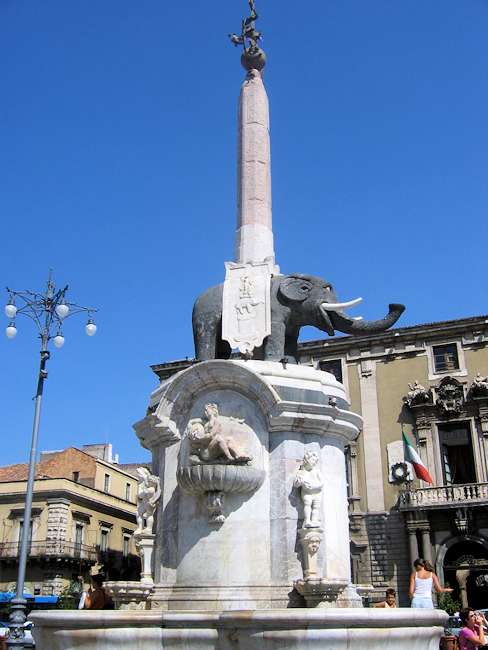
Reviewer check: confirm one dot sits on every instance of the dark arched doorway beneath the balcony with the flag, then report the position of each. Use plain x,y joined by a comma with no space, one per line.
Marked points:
465,568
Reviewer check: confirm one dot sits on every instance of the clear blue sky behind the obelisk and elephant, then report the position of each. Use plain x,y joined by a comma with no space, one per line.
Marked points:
117,156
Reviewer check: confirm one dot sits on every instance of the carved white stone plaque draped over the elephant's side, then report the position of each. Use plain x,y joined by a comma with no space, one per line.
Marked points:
246,315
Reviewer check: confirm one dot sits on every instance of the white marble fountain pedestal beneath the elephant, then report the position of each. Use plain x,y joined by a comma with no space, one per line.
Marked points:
228,531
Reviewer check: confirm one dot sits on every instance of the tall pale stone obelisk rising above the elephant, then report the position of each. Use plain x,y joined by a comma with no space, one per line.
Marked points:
254,236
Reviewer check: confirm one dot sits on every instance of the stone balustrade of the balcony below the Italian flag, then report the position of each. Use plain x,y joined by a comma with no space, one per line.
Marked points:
445,496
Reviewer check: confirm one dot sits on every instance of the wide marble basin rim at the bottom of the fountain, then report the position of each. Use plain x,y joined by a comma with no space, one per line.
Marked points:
293,629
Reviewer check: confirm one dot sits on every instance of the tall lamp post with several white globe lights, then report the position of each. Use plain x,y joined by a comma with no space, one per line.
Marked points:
48,310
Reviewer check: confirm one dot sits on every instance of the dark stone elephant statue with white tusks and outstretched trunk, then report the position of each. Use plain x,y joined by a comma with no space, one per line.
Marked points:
296,300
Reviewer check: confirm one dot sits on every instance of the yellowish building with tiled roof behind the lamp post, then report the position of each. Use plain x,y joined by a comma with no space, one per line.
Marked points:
83,517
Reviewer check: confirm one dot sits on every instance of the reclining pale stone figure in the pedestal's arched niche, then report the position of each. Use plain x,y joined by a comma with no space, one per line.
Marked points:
208,439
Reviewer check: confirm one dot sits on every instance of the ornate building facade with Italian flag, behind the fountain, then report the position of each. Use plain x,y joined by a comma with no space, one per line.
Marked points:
429,381
